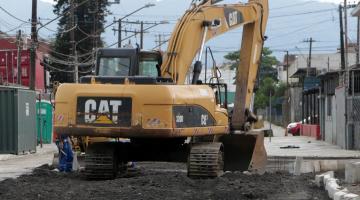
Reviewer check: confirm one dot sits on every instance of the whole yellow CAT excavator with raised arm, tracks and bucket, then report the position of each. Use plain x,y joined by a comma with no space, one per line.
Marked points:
140,102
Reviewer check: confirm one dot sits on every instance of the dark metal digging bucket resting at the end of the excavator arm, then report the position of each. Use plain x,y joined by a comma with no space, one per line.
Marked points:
245,152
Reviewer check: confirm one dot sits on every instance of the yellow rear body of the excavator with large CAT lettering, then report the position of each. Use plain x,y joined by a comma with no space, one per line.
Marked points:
152,112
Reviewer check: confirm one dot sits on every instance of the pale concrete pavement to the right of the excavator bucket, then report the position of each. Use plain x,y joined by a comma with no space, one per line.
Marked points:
301,154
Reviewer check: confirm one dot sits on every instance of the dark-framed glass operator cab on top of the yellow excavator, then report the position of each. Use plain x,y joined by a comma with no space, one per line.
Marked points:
115,66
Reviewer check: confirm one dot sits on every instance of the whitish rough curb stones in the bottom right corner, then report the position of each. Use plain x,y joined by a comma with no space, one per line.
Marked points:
330,184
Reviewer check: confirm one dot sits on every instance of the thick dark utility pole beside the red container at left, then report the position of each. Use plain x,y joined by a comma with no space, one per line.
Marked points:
33,44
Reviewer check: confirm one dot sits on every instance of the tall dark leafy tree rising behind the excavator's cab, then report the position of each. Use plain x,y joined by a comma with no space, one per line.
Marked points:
89,20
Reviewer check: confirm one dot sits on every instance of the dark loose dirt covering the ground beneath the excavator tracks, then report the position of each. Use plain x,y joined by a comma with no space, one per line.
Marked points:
159,181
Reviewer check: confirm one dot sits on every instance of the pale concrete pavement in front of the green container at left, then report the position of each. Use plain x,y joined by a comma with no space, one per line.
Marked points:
13,166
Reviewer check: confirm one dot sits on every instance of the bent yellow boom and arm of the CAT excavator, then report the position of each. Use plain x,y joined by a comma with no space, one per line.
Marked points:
208,20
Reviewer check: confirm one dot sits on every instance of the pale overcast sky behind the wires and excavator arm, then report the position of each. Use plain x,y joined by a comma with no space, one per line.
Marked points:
286,28
